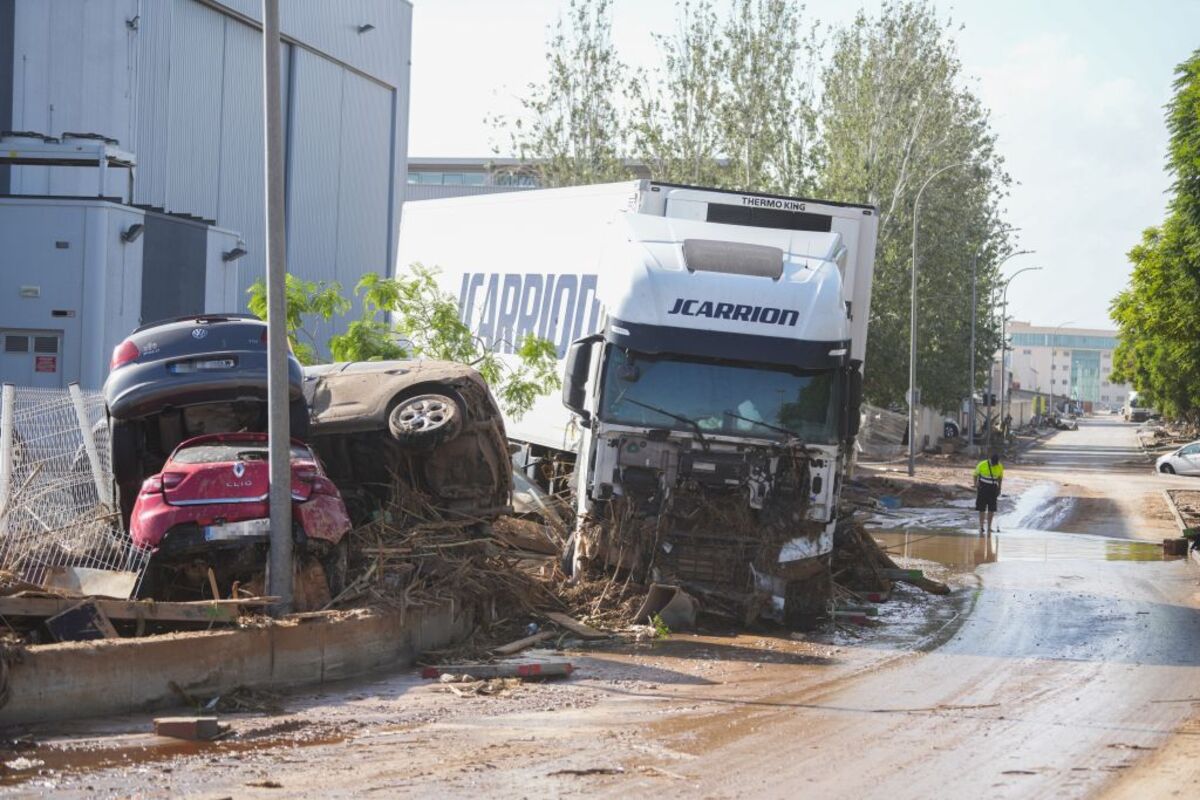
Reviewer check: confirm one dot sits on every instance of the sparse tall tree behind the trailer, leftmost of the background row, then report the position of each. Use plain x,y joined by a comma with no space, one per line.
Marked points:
572,130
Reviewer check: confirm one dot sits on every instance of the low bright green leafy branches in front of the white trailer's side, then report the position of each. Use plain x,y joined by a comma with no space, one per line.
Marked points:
425,326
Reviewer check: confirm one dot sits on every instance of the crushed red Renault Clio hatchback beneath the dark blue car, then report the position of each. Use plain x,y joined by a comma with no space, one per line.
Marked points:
208,510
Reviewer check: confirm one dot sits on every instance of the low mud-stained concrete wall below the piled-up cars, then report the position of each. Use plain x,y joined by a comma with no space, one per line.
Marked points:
88,679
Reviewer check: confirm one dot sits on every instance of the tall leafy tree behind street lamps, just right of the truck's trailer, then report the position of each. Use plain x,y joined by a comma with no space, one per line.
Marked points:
896,111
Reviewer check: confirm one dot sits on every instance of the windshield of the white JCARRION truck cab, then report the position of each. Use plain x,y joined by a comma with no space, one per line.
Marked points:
719,398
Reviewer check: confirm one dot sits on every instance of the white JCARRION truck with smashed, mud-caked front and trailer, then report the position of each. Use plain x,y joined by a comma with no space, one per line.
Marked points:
712,347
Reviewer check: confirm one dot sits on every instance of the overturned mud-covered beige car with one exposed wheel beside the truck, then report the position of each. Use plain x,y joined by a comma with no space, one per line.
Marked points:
428,426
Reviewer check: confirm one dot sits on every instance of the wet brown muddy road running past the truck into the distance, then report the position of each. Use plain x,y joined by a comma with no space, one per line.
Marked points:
1066,664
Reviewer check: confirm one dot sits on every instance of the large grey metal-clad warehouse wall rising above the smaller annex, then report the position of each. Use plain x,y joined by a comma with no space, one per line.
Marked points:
179,85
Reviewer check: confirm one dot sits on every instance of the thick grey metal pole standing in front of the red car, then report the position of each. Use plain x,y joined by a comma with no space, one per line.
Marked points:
279,428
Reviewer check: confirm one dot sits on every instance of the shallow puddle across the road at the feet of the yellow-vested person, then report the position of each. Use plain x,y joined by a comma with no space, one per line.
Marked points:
968,550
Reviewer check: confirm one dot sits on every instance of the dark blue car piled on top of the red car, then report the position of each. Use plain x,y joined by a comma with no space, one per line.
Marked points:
172,381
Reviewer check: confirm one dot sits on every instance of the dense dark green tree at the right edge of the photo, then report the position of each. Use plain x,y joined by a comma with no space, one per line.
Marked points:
1159,315
